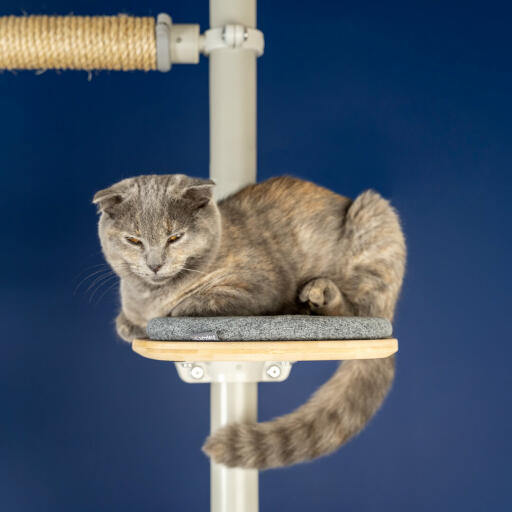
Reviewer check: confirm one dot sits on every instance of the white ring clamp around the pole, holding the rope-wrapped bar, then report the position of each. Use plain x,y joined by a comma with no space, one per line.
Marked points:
233,36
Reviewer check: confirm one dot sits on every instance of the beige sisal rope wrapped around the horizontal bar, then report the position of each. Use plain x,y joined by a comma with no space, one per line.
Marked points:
77,42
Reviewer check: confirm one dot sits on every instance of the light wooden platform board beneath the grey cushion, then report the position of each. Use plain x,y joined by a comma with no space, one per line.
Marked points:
325,350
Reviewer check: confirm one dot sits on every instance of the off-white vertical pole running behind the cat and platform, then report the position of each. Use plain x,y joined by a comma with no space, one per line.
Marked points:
232,166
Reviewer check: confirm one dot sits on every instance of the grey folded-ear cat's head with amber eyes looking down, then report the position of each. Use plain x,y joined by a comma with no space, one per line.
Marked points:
158,226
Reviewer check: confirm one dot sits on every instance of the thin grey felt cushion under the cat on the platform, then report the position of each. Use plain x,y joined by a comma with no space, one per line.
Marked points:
262,328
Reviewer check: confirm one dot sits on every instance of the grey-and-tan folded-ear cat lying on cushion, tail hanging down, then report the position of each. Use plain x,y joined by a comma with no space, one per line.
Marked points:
276,247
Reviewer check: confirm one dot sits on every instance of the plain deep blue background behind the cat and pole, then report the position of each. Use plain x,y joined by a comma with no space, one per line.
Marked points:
410,98
